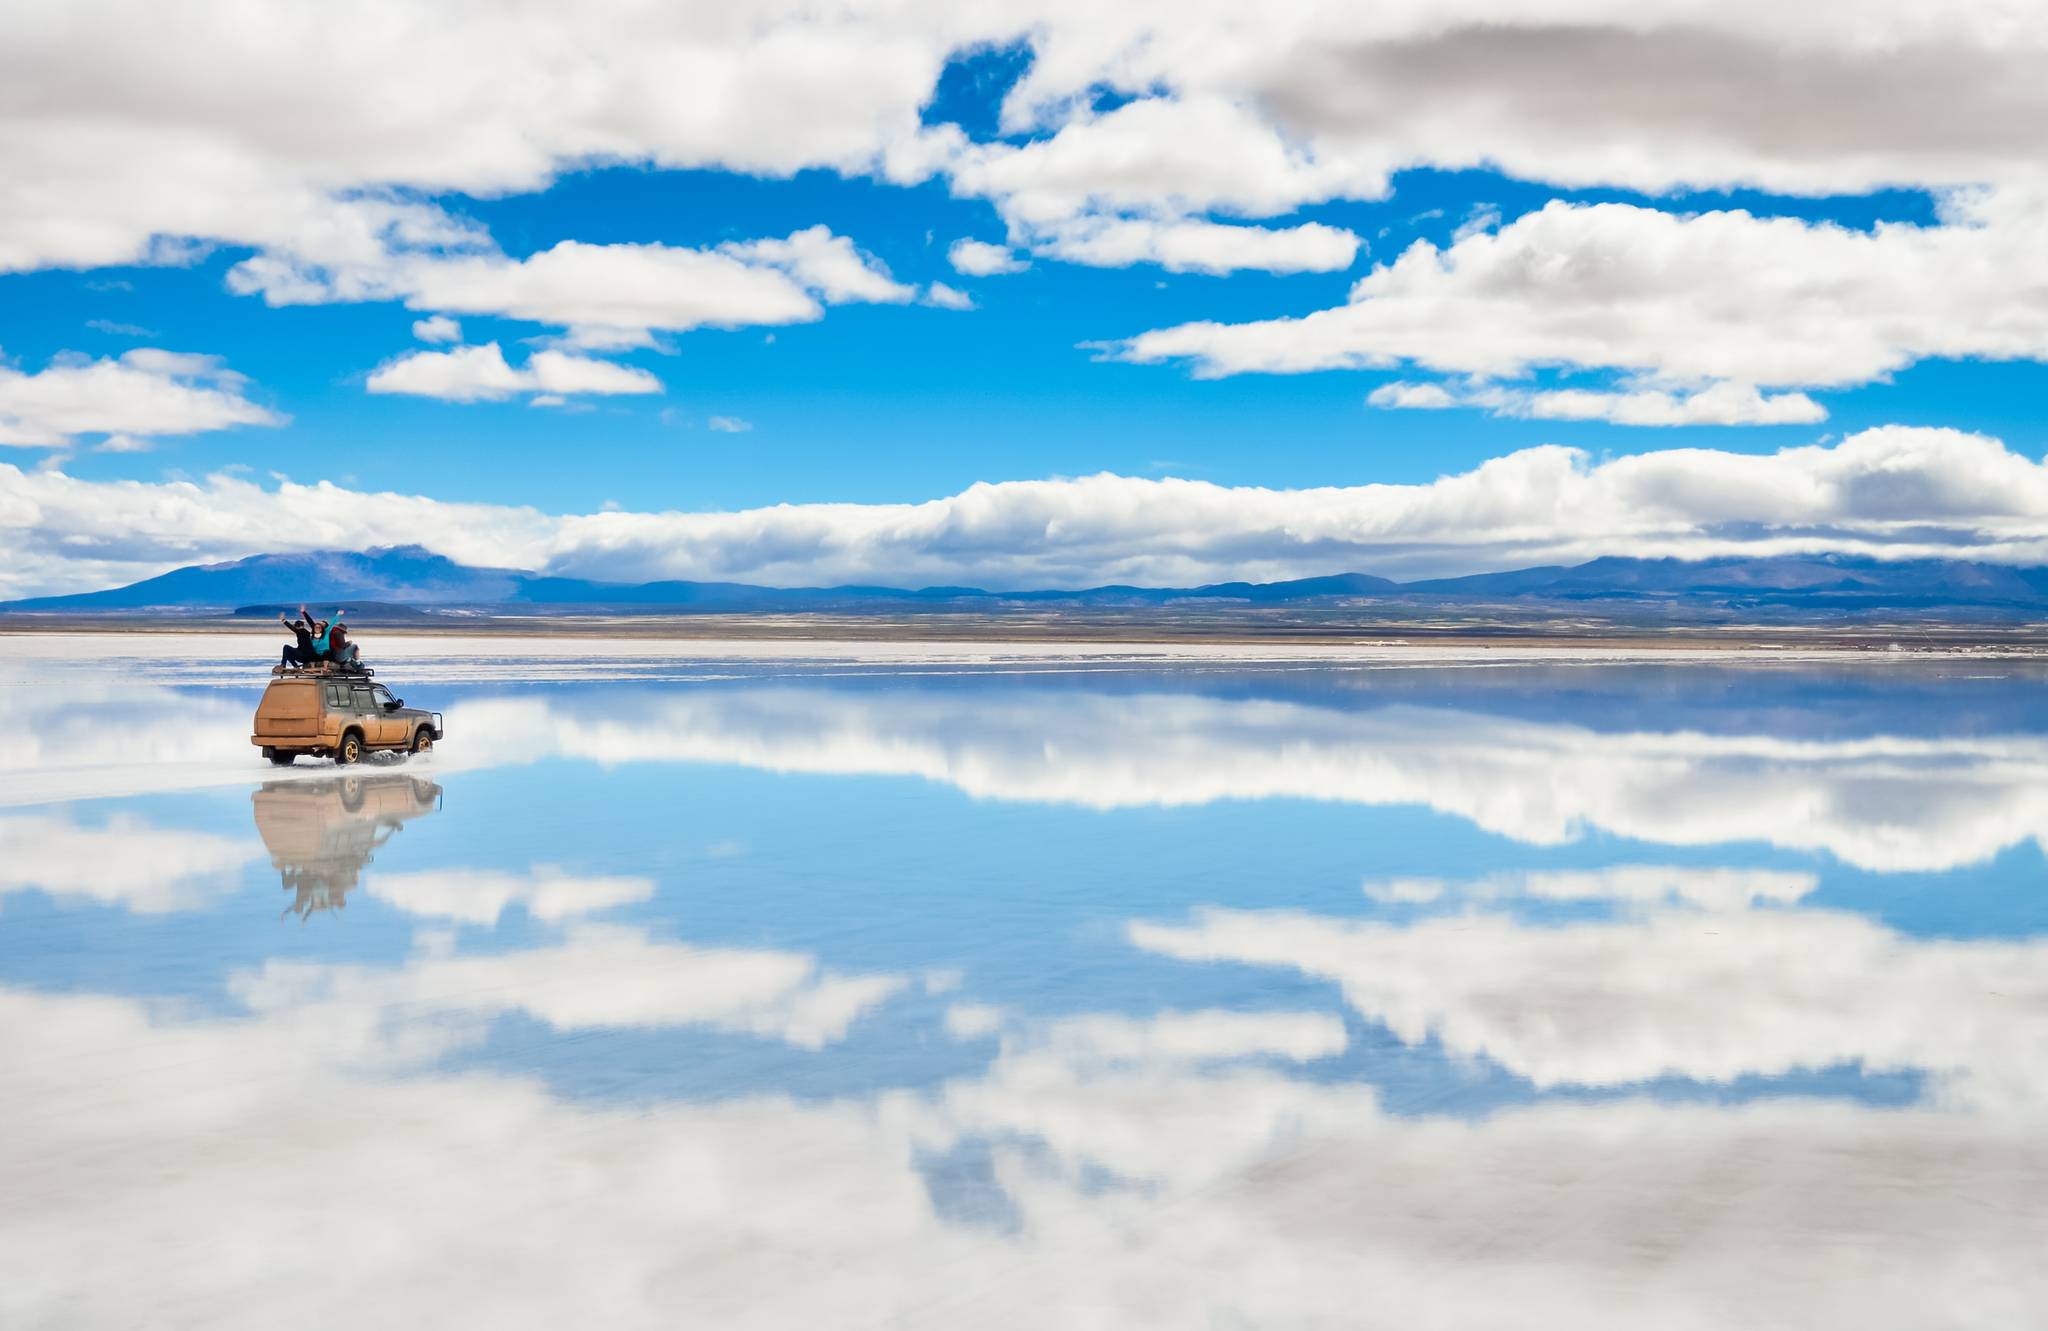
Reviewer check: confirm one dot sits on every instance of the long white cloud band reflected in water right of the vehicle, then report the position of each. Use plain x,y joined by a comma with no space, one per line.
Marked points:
1879,802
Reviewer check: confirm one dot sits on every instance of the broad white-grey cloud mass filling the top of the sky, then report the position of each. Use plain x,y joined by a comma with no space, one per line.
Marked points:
314,142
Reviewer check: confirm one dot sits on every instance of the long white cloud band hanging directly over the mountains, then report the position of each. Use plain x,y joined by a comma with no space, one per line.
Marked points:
1891,492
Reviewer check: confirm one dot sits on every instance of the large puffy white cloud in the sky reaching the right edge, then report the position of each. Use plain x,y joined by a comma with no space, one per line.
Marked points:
1695,300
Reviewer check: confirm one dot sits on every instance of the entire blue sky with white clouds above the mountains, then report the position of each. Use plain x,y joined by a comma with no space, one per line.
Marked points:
1816,286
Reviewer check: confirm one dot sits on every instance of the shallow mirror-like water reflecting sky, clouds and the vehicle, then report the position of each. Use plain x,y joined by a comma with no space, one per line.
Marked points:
697,986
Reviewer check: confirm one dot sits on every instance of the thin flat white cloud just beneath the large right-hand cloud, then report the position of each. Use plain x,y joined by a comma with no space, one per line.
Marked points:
1717,404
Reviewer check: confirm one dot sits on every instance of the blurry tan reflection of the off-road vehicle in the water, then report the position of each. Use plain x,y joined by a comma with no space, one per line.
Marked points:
323,834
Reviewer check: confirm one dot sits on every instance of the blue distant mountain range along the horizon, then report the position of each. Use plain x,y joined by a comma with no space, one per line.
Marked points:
409,583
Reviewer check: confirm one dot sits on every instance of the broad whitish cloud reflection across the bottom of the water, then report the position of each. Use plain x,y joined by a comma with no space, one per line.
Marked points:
1125,1178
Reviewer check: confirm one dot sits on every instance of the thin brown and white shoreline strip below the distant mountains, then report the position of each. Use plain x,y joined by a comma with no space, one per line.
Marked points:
1123,630
